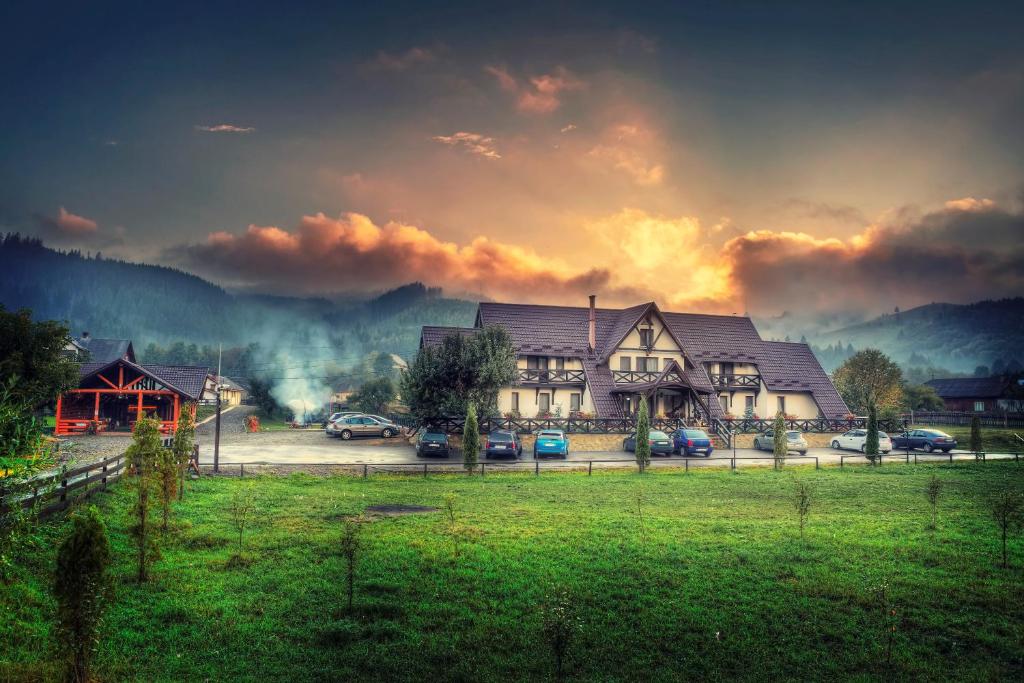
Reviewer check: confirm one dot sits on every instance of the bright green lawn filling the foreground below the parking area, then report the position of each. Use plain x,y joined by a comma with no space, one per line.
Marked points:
716,585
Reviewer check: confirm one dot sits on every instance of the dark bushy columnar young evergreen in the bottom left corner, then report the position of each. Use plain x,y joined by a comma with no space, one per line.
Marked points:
81,586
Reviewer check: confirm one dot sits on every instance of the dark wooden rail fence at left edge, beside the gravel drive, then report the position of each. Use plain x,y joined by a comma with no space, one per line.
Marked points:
56,492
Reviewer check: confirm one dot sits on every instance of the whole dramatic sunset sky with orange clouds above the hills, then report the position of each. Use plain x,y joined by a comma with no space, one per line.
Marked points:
720,157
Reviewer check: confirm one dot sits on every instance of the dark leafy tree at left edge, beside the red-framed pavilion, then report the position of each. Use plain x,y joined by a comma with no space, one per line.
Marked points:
33,363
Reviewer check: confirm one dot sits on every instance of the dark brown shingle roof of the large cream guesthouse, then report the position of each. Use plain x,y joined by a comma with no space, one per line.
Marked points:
705,338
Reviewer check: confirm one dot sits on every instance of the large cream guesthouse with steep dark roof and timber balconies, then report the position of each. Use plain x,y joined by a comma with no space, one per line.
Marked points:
600,362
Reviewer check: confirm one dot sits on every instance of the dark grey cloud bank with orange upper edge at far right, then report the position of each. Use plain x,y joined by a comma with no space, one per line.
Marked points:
968,251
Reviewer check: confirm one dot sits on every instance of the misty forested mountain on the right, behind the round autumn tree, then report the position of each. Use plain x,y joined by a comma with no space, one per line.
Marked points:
952,336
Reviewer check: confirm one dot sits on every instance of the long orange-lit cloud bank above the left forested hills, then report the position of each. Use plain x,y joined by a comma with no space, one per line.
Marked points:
326,254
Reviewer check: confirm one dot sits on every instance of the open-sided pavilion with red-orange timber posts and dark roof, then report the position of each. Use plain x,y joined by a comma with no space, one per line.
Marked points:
114,390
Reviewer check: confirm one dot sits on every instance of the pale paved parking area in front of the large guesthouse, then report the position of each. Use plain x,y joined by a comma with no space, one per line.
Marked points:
315,448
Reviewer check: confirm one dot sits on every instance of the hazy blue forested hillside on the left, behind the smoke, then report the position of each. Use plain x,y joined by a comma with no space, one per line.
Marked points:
149,304
